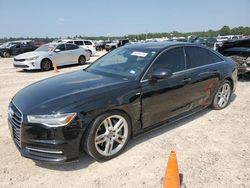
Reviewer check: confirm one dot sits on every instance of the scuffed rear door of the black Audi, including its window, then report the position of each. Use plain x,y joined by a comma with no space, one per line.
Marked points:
204,67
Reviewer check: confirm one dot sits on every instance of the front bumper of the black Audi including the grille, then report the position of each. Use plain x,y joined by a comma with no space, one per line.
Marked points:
42,143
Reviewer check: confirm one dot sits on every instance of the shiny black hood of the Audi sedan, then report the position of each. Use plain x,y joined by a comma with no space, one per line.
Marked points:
53,94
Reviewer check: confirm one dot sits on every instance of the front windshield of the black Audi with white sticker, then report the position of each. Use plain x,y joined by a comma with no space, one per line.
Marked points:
126,63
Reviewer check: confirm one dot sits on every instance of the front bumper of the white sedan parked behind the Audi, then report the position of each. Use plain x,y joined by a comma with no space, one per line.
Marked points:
26,64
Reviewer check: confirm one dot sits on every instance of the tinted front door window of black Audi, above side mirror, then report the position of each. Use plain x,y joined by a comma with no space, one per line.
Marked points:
171,59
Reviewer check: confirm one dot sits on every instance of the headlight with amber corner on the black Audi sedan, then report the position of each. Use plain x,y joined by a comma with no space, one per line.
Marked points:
56,120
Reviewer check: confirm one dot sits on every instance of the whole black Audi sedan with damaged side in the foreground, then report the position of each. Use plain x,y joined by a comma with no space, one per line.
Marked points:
124,93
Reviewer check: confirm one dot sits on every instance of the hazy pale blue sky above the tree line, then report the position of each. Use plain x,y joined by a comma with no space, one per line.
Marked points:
59,18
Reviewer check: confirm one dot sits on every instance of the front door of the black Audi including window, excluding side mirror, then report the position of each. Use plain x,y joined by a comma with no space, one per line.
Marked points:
166,98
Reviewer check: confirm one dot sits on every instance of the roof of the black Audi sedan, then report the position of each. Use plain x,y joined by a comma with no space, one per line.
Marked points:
156,45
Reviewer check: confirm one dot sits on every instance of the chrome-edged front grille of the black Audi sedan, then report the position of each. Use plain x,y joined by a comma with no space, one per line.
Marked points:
15,119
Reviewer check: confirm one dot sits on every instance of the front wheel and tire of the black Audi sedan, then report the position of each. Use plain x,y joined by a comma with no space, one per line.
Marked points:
107,136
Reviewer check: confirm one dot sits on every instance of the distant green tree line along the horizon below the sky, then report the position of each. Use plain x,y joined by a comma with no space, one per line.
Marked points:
225,30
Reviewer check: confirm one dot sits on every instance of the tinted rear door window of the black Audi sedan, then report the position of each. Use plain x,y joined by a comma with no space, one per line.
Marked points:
197,57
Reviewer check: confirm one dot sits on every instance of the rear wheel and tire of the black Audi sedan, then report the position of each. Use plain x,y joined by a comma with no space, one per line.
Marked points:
222,96
